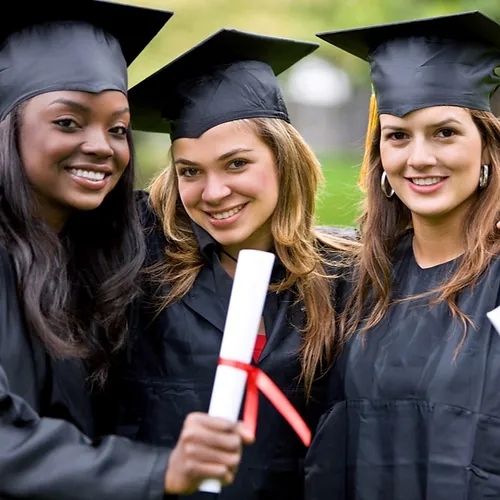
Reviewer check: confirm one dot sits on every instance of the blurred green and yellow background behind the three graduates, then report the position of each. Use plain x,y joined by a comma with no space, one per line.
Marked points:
194,20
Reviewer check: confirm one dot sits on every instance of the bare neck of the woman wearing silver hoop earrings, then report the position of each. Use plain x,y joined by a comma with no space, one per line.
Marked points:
439,240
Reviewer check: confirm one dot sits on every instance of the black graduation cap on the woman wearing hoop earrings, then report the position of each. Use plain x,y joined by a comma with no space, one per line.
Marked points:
448,61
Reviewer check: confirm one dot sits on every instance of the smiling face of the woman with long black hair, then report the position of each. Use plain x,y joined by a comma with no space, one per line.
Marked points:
74,149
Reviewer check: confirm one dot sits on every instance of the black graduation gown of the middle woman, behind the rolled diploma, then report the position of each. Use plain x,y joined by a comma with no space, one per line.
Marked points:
171,368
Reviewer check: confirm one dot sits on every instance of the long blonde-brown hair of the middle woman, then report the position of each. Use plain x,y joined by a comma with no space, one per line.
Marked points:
300,248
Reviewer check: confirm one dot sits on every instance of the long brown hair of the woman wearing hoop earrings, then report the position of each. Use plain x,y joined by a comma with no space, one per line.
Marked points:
384,222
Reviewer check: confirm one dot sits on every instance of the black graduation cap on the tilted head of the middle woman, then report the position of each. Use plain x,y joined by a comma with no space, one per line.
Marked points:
229,76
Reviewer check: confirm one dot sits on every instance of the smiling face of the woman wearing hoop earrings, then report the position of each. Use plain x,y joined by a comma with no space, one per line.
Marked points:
433,158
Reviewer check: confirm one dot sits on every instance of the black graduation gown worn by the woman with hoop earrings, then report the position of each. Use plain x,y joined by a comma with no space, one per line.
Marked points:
407,420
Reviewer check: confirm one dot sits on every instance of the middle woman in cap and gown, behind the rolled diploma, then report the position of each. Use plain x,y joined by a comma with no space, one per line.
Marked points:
240,177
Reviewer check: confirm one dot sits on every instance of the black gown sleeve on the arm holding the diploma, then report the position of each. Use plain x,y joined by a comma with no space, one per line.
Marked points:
44,458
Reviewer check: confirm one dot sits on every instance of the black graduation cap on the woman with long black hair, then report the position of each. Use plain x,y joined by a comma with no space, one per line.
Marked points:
74,45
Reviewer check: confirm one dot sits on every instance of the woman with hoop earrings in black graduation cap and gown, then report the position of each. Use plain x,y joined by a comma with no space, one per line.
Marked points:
414,401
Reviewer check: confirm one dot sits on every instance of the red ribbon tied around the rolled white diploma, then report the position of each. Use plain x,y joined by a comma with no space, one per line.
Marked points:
258,380
